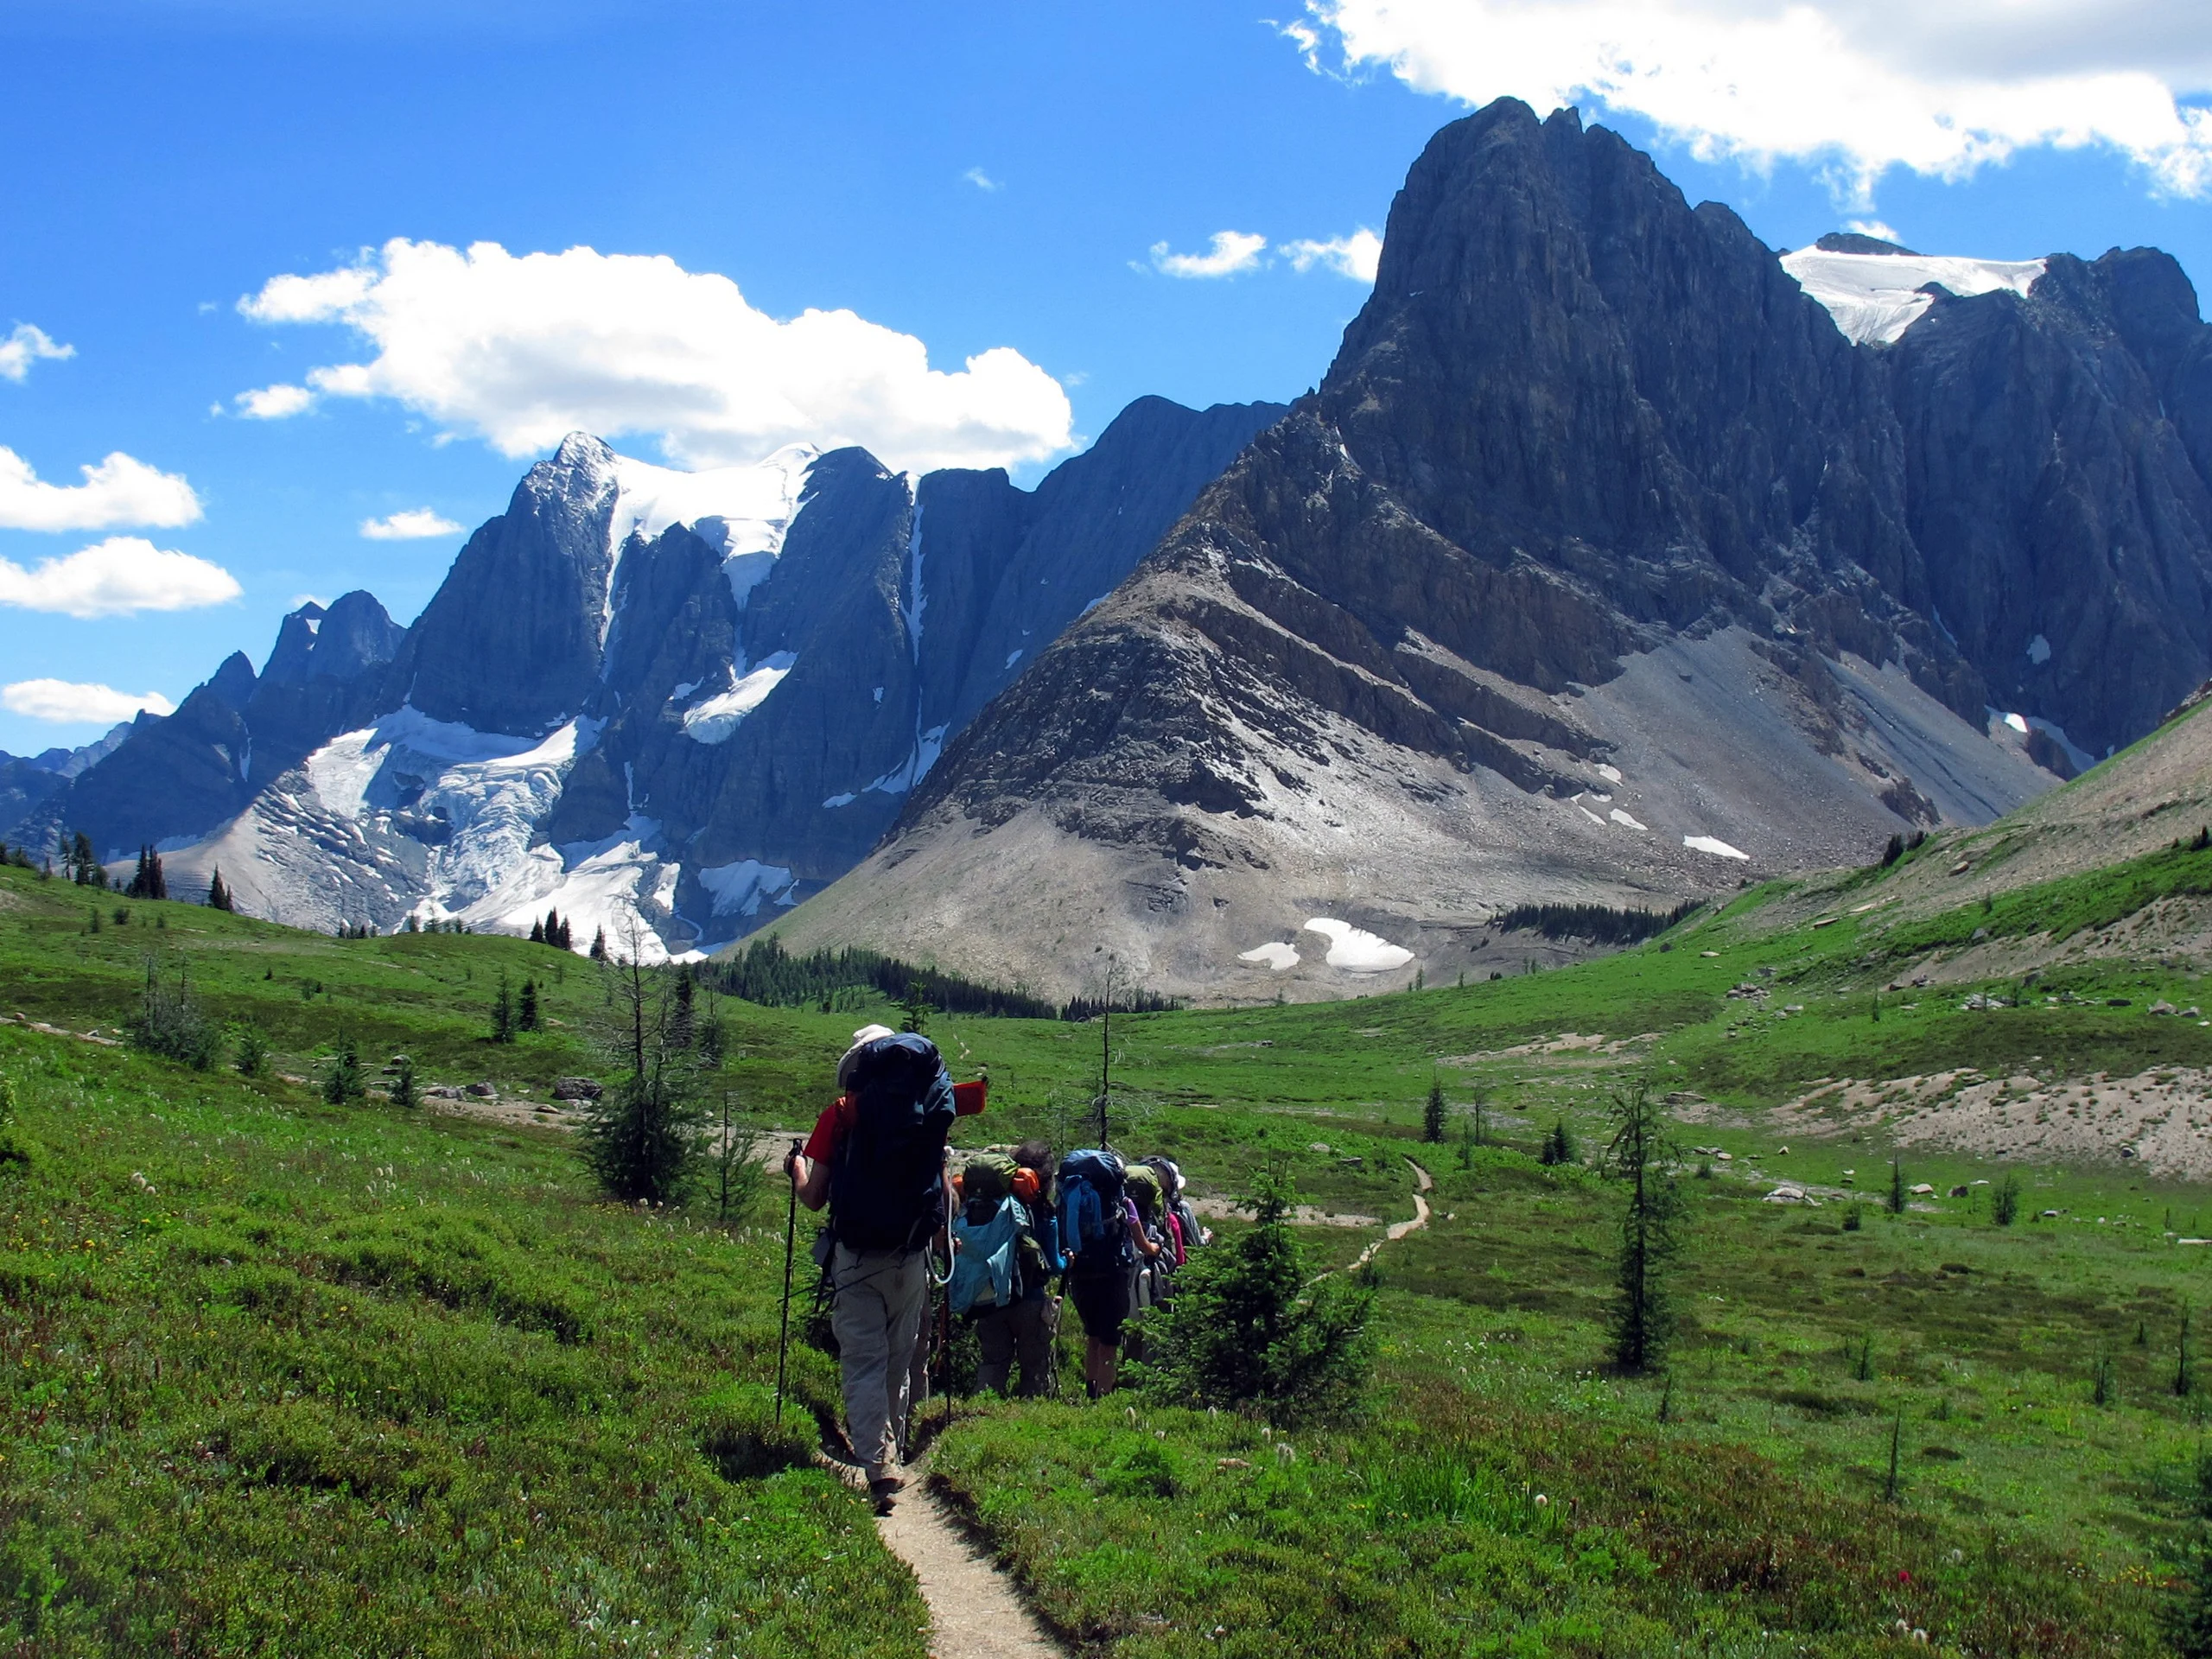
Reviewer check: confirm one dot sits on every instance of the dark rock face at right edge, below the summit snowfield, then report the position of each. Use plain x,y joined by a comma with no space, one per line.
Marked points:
2058,459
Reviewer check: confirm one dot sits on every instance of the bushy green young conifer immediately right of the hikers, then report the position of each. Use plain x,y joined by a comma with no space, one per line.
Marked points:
1249,1333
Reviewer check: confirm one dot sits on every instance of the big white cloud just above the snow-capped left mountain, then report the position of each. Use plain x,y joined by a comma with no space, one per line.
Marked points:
528,351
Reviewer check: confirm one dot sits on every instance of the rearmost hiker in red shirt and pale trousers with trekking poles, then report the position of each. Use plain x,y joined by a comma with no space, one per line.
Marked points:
877,1158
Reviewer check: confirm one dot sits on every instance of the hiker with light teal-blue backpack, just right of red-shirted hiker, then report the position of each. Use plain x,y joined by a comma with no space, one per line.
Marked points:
1001,1273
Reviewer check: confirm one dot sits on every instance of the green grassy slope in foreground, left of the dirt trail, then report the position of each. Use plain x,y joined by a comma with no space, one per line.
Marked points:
282,1379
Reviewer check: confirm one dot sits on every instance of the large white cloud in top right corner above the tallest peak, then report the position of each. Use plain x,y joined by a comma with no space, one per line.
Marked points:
1855,87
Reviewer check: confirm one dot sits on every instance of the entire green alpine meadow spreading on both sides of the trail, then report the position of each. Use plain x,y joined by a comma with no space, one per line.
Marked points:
304,1377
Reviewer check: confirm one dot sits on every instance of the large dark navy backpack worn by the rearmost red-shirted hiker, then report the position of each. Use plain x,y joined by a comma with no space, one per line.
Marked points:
888,1185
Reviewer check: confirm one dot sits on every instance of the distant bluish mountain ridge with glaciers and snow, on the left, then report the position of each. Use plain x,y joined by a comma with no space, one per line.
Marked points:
645,698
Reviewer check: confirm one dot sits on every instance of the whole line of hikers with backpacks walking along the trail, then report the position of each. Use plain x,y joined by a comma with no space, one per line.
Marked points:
994,1242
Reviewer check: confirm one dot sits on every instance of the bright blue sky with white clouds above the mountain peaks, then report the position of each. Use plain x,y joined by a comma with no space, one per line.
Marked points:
977,178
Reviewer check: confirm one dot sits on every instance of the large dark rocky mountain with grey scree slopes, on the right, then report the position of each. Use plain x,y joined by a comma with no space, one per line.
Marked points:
1603,565
